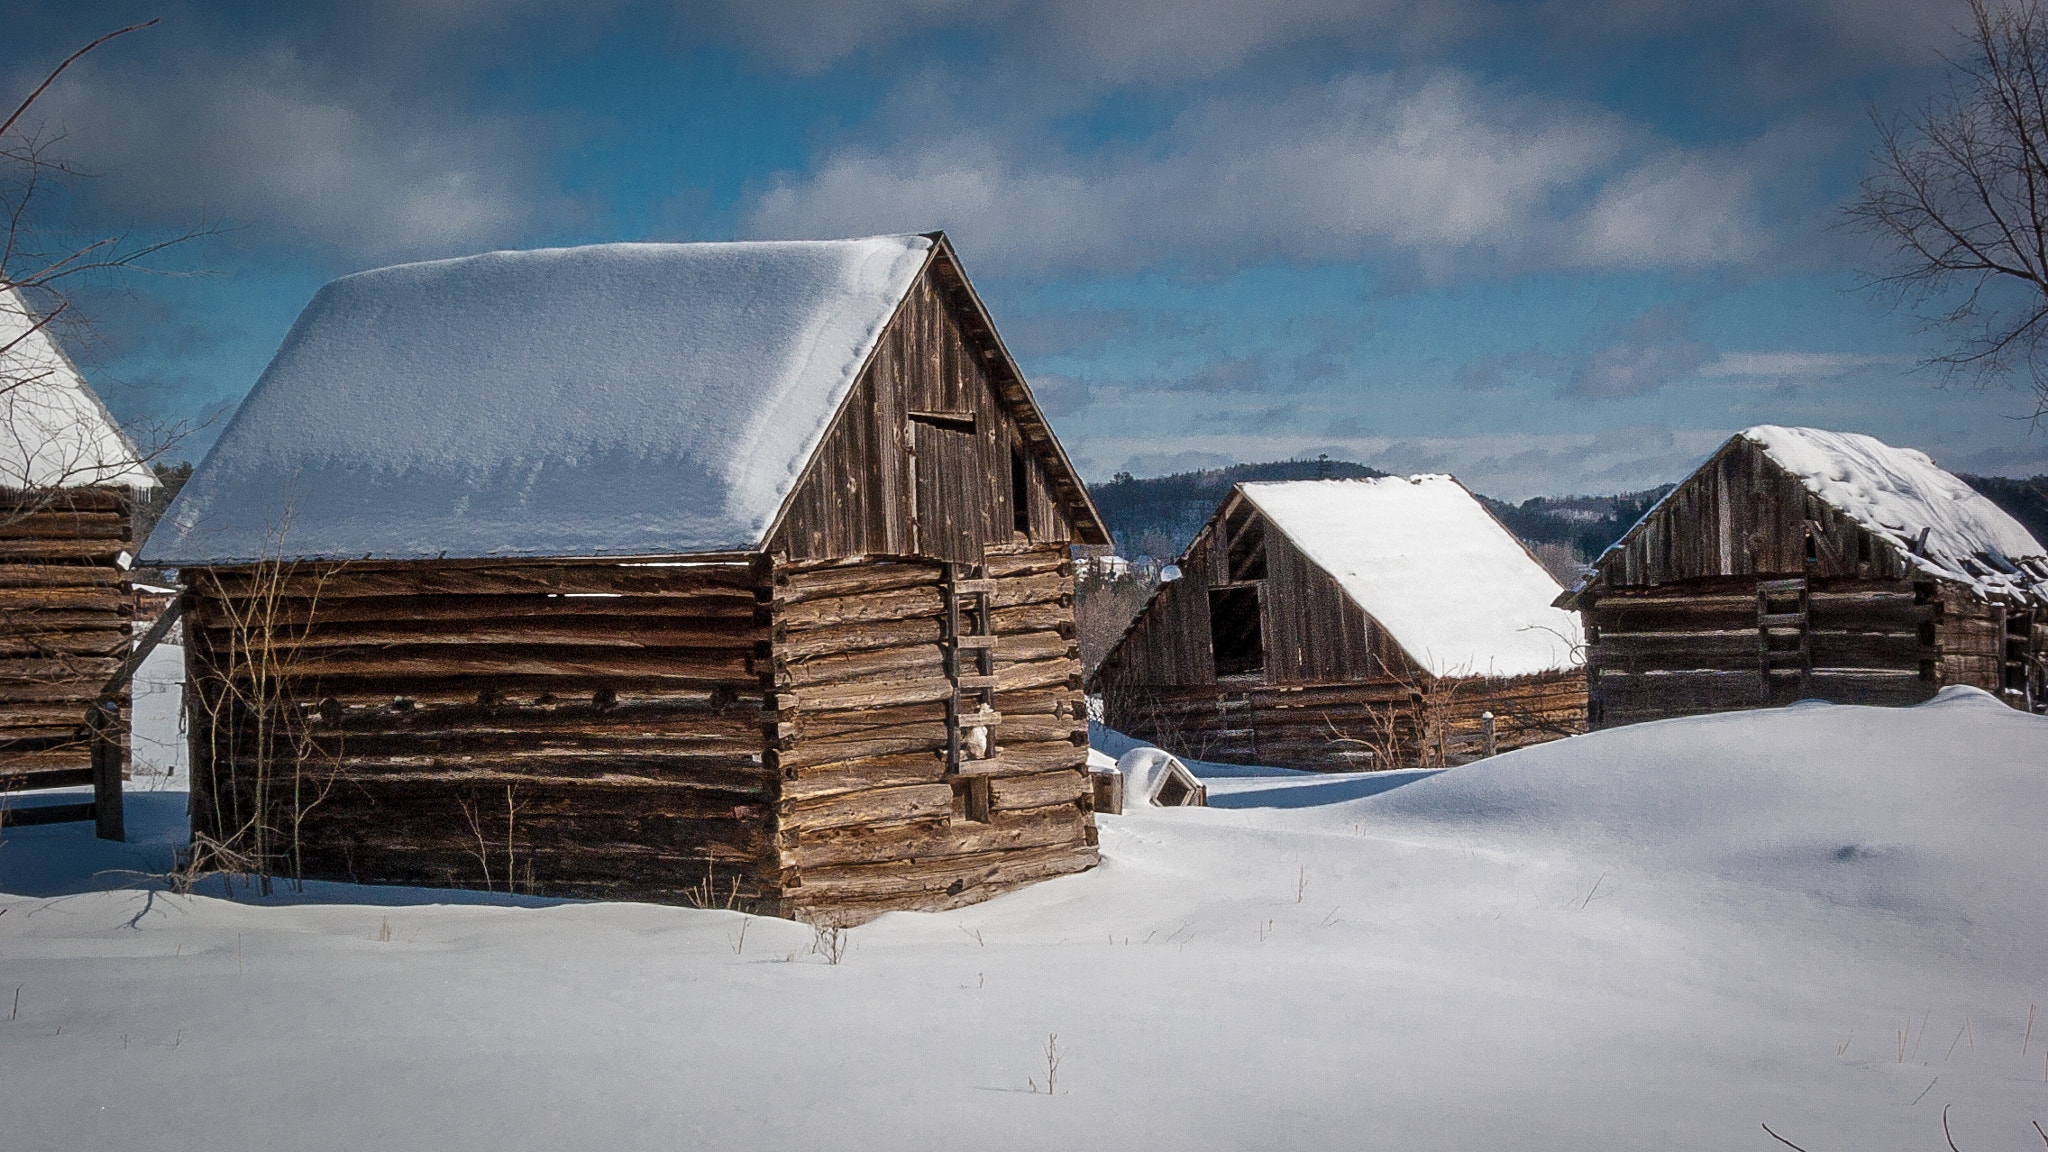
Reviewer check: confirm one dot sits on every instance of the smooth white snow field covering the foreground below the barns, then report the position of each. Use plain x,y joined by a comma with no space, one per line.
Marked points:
1824,919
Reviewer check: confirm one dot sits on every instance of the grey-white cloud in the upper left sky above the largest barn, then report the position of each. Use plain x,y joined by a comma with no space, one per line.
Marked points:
292,151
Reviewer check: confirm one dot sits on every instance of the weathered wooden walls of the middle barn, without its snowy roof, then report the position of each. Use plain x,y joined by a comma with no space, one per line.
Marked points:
1336,692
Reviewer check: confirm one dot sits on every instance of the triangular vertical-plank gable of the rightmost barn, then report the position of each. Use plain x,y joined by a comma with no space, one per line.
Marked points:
1744,516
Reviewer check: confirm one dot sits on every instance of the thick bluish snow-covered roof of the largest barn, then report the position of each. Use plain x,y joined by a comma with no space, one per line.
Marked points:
605,401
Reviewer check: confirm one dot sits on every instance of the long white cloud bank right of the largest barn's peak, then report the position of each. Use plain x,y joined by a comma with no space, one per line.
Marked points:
1443,171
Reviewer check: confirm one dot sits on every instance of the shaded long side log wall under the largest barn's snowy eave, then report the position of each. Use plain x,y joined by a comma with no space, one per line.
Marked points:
579,729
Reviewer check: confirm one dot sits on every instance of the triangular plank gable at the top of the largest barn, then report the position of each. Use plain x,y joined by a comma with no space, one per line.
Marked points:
939,448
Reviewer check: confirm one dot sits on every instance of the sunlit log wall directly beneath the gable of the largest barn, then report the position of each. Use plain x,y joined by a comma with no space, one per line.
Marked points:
869,817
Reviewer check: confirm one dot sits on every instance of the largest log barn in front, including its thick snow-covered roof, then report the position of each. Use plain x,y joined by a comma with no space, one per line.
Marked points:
689,573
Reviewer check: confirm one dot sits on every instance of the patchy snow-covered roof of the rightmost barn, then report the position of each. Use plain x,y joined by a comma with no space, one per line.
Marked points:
1900,495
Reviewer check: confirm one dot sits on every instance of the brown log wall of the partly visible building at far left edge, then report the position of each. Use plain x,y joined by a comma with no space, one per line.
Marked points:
65,626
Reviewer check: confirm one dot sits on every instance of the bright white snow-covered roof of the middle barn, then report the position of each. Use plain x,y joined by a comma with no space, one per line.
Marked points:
1433,567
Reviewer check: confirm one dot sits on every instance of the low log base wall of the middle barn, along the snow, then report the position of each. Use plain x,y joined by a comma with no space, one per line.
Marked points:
1381,723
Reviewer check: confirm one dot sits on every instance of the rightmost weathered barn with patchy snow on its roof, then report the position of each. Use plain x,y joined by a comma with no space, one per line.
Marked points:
1799,563
